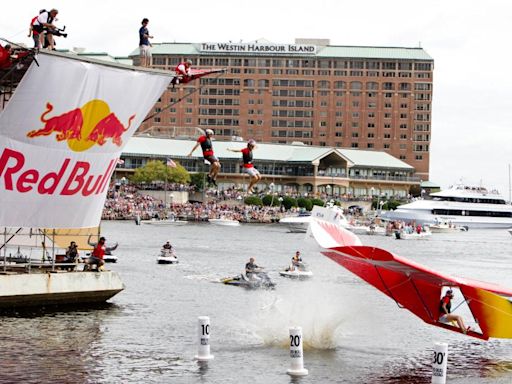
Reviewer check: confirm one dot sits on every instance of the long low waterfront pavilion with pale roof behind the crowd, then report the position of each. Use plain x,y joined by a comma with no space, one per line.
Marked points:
285,168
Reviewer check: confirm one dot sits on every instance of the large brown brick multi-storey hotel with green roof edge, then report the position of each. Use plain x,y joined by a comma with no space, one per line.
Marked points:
368,98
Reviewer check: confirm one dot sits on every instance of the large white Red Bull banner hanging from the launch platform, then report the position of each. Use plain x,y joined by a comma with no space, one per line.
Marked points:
61,135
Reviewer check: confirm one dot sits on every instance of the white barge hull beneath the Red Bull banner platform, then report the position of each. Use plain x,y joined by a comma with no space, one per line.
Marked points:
59,288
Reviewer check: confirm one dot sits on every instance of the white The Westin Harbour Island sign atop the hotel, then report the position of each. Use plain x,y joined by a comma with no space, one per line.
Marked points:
258,48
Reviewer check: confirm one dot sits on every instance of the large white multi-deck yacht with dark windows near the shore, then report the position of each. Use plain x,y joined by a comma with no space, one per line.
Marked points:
462,205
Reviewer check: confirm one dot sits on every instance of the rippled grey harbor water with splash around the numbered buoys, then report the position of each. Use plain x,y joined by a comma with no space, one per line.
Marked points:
352,332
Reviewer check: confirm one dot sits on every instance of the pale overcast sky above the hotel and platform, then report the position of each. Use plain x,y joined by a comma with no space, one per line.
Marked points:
469,41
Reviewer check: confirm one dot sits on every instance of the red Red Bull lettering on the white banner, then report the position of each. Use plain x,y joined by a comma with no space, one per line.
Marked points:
71,178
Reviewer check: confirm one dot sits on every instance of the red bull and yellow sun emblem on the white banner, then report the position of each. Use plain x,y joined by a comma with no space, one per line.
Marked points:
83,127
